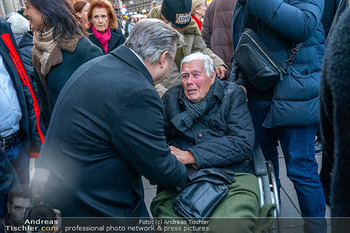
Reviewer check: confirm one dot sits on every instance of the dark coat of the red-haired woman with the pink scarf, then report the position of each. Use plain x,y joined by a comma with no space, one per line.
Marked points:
117,38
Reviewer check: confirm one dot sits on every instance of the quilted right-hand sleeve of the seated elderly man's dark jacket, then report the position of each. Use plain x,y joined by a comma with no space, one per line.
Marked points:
234,147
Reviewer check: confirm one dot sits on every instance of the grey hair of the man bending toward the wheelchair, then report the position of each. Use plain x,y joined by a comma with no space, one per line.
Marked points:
151,37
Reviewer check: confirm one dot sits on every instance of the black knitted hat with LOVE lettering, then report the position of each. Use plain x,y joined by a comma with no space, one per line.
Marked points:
178,12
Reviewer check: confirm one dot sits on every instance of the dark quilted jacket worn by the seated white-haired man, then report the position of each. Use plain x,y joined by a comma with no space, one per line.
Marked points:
222,136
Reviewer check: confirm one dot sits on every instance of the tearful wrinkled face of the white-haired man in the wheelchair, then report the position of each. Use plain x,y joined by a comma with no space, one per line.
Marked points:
195,82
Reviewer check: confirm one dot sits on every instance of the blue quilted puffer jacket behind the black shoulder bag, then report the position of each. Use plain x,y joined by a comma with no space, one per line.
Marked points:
295,97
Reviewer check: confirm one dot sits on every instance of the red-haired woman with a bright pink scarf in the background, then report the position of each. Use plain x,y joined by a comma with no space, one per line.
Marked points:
103,26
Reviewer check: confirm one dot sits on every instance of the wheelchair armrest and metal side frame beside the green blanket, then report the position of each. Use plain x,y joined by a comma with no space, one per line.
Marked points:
264,171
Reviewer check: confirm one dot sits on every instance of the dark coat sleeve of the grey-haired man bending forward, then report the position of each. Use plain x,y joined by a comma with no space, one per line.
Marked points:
140,140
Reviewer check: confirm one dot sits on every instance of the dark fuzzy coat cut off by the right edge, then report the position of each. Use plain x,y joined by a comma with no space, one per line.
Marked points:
335,114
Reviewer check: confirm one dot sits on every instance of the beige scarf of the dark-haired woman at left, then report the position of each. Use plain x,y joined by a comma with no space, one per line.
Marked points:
44,44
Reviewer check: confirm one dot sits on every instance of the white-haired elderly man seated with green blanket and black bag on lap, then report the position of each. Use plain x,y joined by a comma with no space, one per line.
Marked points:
208,127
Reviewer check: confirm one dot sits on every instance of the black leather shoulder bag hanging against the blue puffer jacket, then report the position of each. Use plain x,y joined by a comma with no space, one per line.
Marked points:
256,61
